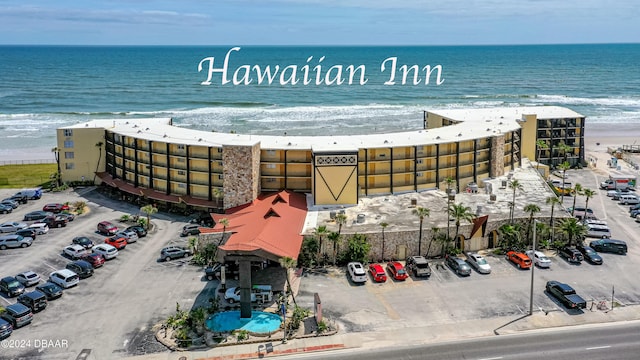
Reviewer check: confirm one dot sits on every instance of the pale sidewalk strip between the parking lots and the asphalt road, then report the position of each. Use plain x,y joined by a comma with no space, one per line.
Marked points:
423,335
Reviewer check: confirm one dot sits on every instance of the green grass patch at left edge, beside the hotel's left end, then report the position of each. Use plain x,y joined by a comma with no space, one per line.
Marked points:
25,176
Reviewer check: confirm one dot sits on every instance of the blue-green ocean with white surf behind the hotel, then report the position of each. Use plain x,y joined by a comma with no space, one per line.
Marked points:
46,87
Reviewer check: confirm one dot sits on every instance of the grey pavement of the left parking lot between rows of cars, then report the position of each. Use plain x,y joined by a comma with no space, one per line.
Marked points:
110,314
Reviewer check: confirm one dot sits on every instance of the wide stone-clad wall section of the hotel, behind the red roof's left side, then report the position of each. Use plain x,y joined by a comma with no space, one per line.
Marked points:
241,174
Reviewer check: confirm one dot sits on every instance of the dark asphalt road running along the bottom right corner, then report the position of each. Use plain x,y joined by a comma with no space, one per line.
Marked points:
617,341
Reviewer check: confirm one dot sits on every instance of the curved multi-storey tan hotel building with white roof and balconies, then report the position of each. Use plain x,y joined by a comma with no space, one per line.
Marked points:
152,158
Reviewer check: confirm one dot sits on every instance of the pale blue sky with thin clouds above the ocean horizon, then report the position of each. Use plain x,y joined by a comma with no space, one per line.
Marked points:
318,22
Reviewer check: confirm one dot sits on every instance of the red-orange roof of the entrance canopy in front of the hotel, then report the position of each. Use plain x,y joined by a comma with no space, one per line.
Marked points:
272,223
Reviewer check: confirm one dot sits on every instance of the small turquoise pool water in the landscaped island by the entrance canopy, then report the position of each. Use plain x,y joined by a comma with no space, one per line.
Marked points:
260,322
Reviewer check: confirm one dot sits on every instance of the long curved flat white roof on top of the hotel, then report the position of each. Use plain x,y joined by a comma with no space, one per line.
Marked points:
489,122
